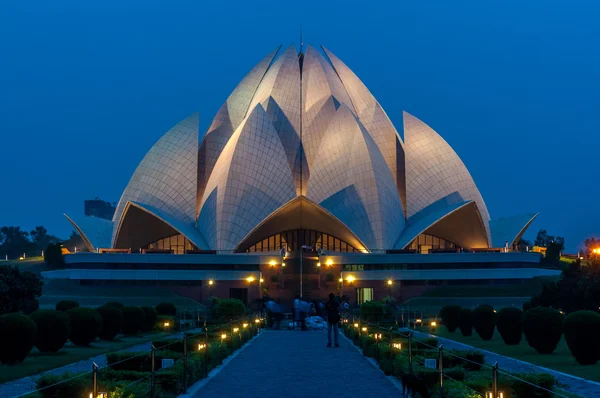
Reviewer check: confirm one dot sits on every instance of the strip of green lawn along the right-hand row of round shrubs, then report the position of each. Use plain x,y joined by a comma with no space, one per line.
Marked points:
561,360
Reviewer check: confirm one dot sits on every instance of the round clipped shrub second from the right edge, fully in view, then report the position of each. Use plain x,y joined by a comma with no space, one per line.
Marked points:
543,327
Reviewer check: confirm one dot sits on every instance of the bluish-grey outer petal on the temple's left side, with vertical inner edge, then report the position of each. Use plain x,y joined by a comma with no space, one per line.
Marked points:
166,178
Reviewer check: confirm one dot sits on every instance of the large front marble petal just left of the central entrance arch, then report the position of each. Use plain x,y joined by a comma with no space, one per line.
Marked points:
250,180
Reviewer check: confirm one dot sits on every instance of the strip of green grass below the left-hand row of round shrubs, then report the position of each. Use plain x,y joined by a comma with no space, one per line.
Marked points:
37,362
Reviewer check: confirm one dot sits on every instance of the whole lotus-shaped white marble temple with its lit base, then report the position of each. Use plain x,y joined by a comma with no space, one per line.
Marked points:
301,185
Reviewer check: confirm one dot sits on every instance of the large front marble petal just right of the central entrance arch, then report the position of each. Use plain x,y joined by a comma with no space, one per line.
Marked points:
351,180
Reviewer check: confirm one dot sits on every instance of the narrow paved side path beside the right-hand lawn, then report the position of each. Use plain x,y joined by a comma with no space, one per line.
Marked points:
576,385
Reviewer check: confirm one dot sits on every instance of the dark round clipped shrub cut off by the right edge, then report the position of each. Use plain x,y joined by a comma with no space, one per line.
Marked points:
582,334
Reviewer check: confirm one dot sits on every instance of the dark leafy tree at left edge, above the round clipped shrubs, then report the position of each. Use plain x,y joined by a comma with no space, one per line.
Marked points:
17,289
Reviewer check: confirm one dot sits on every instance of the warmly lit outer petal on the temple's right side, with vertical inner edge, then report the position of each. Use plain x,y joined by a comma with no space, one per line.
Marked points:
434,170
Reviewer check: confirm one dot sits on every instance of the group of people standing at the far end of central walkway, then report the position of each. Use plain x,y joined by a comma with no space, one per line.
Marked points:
330,310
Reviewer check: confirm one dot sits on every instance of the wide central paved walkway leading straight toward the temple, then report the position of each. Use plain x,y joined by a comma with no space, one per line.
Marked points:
297,364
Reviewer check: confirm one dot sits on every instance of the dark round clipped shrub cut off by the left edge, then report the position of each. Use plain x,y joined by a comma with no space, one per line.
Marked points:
17,336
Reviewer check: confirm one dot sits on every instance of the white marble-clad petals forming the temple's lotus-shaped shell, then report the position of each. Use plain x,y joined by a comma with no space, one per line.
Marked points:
302,124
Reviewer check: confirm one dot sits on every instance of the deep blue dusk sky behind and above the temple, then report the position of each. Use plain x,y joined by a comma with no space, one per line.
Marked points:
87,87
